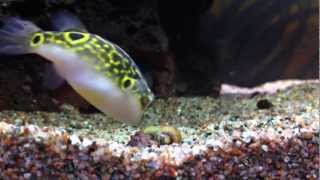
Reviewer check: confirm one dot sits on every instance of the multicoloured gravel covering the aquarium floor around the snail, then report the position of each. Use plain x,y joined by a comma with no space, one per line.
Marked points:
222,138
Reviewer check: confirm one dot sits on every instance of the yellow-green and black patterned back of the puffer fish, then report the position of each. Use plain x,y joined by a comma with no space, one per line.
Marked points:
105,56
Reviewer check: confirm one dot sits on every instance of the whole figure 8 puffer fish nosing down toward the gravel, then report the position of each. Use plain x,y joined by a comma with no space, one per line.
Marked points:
97,69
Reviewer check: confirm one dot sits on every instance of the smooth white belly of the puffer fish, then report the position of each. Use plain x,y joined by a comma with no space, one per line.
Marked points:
93,86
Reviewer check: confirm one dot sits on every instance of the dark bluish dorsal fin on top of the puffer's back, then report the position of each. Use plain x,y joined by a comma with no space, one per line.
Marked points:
66,21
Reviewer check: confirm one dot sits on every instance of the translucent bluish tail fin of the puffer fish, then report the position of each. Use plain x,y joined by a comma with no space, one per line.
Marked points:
15,35
